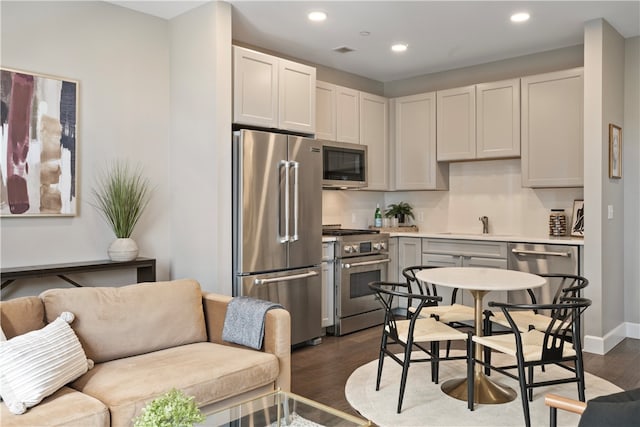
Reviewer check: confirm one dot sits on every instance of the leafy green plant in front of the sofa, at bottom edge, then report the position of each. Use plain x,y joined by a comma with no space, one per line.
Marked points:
172,409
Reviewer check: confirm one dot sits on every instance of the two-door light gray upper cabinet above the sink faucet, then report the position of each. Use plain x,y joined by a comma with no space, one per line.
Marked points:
479,121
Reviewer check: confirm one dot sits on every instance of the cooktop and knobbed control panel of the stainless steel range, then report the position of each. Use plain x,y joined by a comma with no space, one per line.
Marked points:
354,242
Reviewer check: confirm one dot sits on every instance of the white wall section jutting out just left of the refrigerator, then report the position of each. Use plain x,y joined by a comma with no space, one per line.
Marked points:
200,146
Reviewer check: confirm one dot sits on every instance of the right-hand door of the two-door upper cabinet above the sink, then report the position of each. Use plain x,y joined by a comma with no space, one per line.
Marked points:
498,119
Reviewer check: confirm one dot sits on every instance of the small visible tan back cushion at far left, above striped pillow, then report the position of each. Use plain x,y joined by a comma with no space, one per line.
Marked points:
21,315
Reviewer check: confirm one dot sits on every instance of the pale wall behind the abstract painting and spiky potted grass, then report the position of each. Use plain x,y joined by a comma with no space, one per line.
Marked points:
121,60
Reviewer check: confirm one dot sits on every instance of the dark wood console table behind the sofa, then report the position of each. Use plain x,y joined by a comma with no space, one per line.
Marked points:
146,269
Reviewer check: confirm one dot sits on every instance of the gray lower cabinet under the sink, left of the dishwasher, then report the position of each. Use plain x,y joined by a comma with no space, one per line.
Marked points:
465,253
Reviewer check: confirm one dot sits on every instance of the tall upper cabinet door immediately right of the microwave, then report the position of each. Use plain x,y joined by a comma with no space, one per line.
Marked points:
374,133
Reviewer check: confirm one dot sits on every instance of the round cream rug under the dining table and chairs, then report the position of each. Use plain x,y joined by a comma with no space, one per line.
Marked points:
426,405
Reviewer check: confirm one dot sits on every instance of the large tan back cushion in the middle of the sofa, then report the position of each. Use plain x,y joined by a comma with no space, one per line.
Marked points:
117,322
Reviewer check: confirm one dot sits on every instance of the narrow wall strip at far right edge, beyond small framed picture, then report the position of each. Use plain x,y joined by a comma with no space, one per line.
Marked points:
631,160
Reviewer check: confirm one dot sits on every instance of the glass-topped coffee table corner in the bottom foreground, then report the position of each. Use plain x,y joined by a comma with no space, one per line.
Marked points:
279,408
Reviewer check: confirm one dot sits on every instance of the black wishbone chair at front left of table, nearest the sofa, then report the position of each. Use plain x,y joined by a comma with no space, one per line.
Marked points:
411,333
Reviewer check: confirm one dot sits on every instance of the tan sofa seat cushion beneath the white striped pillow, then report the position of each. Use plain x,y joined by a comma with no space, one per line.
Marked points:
66,407
